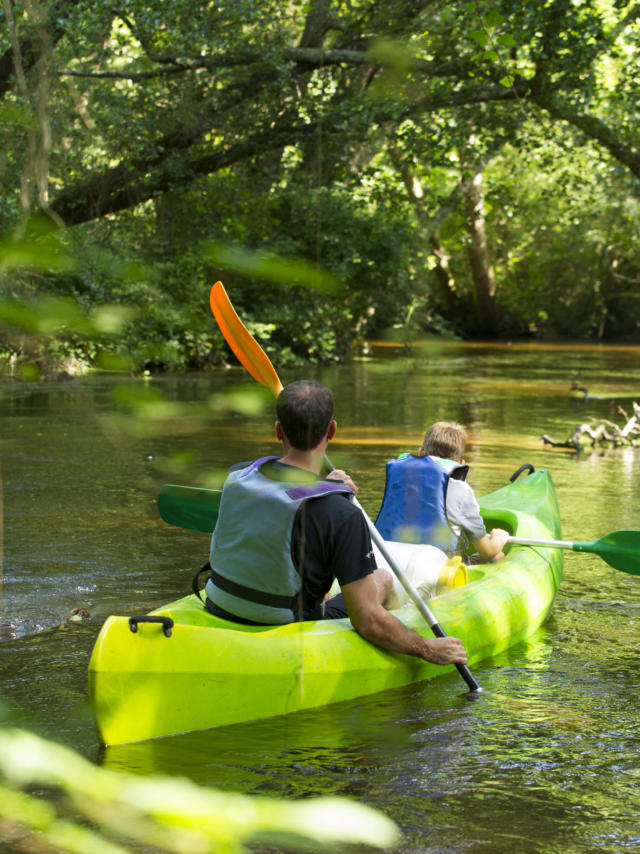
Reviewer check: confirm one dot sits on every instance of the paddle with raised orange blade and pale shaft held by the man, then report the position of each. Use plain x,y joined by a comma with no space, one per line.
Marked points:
257,363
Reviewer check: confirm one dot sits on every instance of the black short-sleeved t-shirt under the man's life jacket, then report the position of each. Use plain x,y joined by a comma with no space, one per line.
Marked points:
330,539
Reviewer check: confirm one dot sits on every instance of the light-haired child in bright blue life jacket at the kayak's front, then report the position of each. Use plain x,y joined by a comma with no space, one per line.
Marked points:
427,500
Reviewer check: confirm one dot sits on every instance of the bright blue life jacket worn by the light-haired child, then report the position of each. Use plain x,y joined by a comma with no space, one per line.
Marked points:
414,504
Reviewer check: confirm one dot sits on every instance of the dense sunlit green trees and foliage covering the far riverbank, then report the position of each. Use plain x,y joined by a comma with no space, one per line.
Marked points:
323,143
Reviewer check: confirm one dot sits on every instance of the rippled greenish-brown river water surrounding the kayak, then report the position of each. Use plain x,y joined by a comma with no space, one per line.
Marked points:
545,761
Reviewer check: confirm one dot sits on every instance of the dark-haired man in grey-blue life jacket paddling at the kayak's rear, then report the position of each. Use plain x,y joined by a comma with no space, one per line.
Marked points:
283,533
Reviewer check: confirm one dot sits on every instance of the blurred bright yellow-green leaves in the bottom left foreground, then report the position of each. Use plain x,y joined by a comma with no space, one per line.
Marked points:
105,811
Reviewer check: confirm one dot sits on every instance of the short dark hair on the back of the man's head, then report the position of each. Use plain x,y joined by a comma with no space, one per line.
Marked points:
304,409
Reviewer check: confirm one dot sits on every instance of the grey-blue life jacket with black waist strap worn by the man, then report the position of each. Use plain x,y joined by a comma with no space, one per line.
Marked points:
253,575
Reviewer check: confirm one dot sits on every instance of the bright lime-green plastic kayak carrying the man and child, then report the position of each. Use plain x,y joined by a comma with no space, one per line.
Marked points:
186,670
